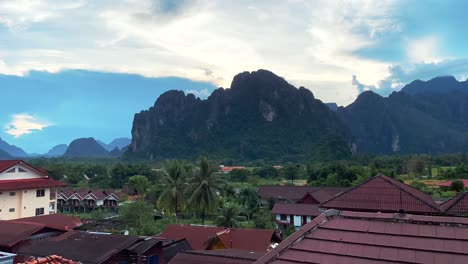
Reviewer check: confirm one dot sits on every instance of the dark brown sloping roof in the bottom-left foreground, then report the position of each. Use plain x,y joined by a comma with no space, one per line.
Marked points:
93,248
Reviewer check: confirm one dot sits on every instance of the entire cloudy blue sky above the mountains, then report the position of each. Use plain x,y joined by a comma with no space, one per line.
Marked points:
83,68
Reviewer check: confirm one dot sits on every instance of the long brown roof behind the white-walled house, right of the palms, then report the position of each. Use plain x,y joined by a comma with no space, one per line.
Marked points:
295,192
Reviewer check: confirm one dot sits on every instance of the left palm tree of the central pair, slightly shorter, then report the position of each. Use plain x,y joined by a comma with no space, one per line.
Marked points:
174,181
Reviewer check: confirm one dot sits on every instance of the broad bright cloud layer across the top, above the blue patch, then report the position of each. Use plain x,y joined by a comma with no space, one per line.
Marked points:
319,44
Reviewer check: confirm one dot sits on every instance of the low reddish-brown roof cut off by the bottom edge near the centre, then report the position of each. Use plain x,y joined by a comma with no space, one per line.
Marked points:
223,256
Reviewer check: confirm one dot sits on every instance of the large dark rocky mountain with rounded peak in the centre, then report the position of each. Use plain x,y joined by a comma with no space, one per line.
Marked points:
260,117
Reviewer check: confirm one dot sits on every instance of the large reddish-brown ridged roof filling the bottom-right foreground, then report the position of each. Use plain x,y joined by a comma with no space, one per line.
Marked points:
359,237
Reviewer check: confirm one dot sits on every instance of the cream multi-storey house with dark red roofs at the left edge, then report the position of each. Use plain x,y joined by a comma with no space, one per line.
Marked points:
25,190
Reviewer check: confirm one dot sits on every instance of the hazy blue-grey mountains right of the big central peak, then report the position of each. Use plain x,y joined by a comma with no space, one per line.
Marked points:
431,119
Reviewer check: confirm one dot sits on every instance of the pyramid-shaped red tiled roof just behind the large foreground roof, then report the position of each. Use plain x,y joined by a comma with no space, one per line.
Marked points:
383,194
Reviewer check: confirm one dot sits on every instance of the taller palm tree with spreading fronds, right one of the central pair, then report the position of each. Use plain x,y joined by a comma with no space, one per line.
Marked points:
204,188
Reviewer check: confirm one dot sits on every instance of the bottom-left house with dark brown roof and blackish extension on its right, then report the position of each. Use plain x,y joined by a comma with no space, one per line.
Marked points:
97,248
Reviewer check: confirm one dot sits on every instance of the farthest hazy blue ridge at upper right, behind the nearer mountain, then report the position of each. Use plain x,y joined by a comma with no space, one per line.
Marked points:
442,84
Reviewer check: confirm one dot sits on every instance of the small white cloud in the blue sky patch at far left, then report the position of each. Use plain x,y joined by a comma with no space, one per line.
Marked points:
23,124
